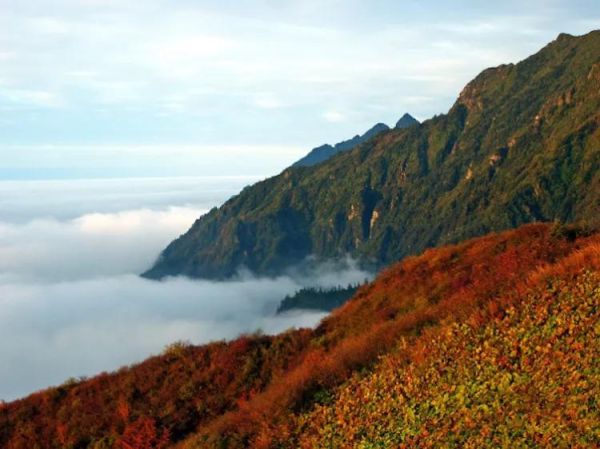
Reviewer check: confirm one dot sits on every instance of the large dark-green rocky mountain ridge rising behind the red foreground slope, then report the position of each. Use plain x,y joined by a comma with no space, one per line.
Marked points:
521,144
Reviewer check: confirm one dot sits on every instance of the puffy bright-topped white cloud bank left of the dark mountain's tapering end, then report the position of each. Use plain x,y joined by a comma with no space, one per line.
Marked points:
92,245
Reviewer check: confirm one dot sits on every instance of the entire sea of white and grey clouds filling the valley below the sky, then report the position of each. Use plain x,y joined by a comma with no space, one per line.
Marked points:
71,301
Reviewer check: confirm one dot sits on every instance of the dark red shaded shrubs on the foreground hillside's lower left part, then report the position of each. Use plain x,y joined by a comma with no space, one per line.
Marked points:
177,391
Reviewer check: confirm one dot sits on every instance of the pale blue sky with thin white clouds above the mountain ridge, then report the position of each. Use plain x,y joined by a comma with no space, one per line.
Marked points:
88,88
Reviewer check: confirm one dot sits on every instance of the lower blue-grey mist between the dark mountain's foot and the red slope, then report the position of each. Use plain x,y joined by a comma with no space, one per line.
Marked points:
52,331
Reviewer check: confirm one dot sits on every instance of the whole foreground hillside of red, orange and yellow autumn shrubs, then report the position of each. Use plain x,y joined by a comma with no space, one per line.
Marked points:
491,341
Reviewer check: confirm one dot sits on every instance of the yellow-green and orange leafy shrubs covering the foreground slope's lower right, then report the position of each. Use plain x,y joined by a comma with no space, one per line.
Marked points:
529,378
